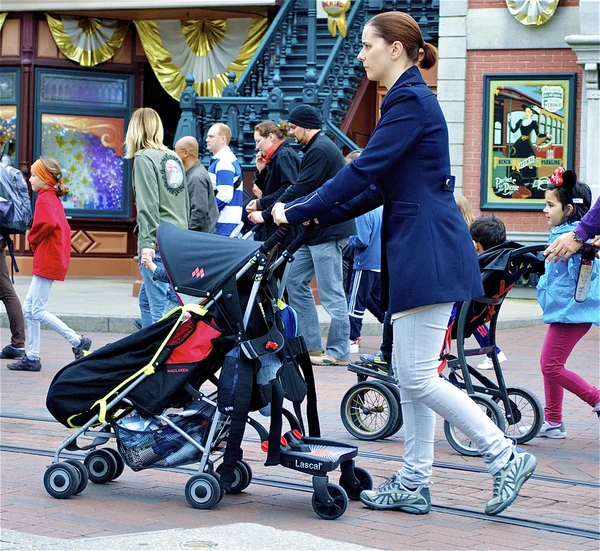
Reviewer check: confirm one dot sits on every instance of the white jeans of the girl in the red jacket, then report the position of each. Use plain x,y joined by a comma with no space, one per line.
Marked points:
34,309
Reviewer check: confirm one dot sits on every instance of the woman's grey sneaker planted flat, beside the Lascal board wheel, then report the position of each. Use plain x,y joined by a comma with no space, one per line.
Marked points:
392,494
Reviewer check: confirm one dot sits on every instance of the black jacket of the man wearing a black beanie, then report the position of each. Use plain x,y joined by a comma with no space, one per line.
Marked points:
322,161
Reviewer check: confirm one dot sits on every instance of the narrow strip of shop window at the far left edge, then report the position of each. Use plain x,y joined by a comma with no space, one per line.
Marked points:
9,116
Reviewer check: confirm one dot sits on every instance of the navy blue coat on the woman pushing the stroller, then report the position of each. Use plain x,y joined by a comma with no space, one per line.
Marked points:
428,256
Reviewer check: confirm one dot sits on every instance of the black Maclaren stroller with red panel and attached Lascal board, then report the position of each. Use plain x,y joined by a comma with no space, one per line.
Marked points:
145,390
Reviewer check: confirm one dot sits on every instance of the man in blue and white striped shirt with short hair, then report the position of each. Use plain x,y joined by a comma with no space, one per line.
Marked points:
226,177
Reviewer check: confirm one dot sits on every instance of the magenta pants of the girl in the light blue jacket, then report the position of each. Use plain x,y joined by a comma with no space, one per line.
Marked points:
560,340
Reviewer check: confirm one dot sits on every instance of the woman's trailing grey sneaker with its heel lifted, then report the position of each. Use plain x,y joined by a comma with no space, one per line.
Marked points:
509,479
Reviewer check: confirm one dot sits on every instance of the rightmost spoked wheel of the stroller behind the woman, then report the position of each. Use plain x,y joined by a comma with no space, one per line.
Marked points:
527,413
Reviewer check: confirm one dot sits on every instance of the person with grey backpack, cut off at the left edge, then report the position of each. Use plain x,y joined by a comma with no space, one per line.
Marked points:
15,217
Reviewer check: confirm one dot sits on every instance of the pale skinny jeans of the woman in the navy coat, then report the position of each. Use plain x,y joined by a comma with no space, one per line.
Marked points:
418,340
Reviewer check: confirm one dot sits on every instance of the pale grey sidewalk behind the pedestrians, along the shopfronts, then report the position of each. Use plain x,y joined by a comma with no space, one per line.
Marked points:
107,305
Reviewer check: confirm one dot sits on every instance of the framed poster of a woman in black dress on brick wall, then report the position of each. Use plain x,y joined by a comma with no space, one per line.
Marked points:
528,127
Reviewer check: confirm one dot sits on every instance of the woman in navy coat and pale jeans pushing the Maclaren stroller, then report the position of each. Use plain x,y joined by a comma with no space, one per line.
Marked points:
406,167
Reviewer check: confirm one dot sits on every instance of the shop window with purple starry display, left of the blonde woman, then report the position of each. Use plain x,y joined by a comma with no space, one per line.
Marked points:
81,120
